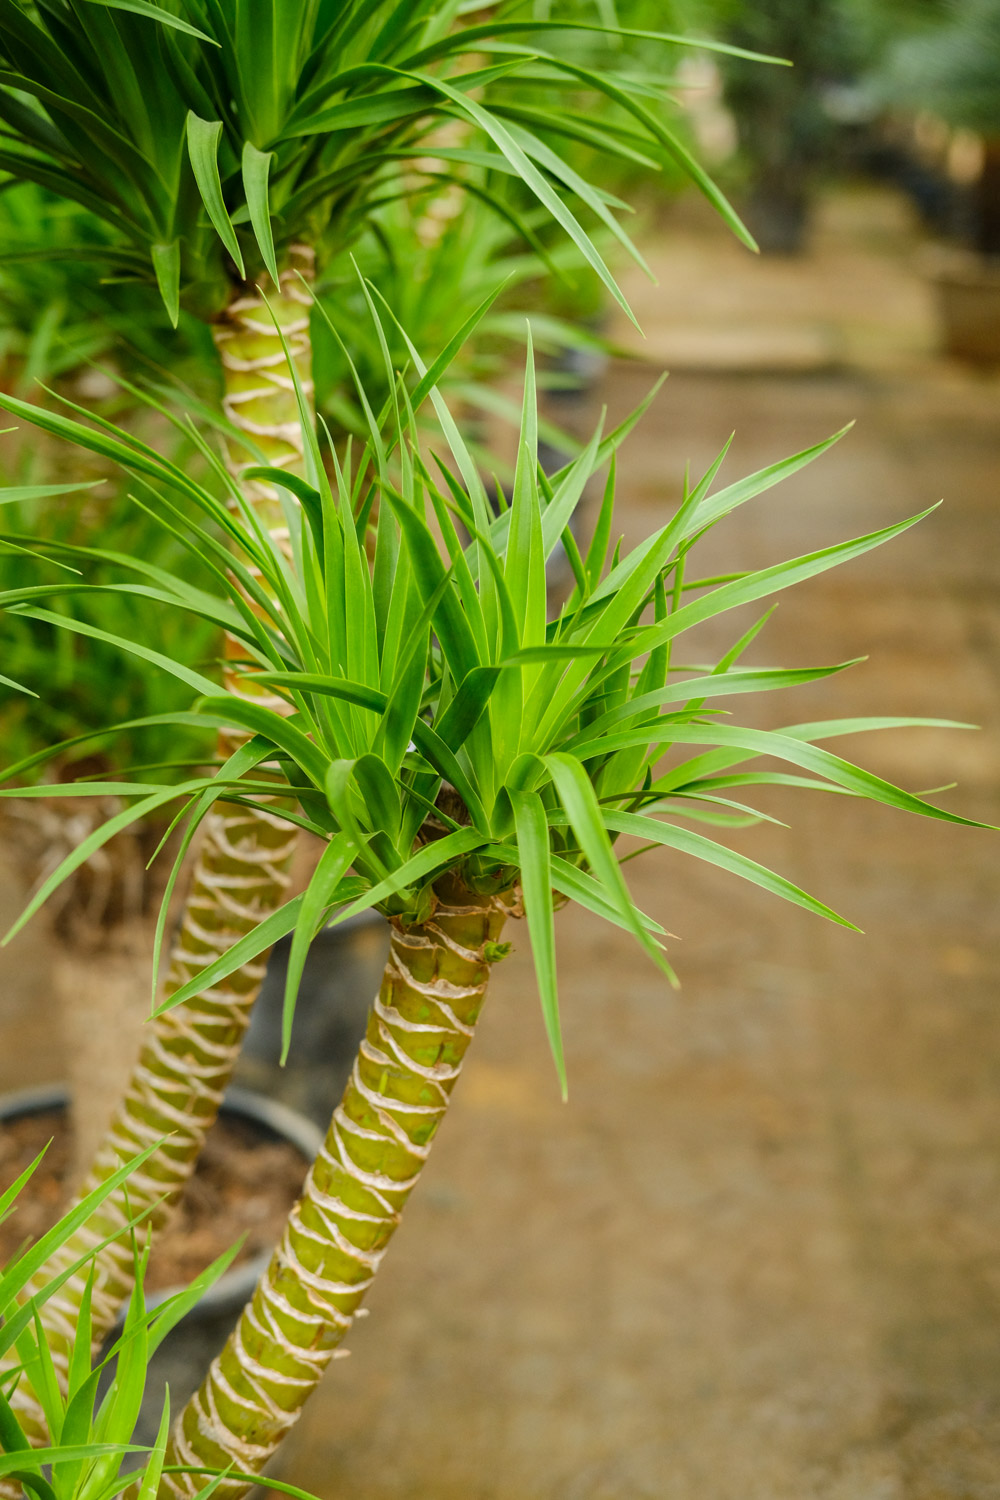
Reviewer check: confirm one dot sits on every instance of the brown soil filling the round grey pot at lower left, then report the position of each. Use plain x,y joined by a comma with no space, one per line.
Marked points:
244,1186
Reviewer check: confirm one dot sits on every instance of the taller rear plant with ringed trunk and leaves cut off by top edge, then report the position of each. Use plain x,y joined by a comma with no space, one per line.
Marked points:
229,143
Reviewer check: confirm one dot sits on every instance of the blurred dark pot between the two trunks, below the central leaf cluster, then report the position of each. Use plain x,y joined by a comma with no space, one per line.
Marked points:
340,983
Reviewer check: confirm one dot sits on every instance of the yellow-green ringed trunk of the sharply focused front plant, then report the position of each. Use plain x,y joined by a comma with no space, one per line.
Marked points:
419,1031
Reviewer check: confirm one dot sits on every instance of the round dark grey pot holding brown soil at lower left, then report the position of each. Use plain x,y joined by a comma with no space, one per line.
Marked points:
187,1352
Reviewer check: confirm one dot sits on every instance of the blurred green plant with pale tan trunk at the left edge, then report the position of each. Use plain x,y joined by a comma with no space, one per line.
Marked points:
76,685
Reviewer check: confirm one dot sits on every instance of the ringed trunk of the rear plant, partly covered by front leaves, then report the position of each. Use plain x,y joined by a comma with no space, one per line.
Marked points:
188,1055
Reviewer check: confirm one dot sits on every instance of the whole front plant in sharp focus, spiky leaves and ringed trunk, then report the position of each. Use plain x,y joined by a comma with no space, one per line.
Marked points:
466,760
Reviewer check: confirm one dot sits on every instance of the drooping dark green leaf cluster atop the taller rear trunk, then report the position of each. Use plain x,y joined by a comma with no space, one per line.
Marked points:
215,134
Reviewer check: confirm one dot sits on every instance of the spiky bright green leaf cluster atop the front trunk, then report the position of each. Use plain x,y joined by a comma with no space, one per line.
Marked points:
439,721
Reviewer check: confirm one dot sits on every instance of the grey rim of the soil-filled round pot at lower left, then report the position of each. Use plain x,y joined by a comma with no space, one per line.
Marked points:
235,1286
